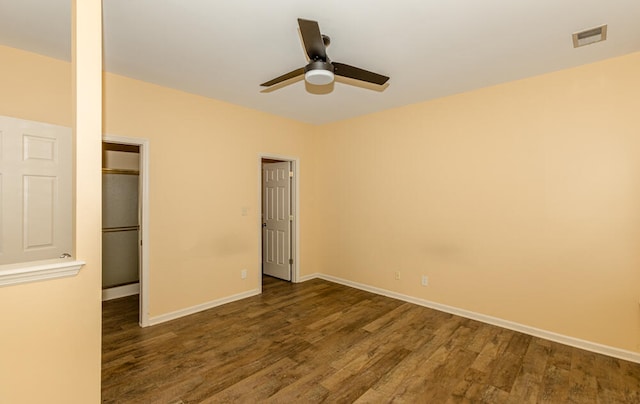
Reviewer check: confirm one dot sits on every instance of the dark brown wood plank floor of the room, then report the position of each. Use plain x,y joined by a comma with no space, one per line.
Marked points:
318,341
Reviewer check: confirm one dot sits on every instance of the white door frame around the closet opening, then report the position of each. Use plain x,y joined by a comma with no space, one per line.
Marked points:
143,319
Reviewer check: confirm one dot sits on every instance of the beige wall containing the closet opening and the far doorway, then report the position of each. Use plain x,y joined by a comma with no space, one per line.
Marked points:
204,168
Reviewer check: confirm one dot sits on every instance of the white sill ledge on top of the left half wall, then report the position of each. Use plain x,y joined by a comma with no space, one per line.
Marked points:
25,272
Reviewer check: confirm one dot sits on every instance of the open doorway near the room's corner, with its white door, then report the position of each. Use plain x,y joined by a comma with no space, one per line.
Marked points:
279,217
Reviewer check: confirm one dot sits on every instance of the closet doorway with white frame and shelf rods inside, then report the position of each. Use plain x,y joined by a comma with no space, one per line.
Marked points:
126,220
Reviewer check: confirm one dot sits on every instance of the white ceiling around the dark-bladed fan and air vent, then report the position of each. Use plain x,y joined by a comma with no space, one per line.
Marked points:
430,49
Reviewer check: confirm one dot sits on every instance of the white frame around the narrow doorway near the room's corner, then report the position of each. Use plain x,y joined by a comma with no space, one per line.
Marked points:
295,205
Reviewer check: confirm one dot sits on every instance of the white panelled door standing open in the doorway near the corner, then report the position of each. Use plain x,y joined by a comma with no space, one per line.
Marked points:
276,220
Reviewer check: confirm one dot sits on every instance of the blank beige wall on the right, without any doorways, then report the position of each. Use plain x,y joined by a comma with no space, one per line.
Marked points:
519,201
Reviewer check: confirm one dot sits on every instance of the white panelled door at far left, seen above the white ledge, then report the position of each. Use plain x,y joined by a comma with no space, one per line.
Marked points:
35,188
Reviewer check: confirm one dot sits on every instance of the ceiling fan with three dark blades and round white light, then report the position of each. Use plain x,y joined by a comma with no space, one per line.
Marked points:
321,70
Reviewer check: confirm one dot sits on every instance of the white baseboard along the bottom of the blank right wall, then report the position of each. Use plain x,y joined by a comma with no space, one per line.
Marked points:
525,329
